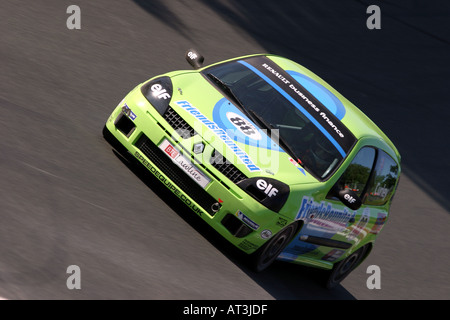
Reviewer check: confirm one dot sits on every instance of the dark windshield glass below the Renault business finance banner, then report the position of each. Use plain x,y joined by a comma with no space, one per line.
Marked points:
302,139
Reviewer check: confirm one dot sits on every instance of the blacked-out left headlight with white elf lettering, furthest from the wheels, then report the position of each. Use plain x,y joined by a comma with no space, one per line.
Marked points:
158,92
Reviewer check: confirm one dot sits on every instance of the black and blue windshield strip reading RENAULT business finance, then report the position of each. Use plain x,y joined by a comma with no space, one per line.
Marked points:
312,108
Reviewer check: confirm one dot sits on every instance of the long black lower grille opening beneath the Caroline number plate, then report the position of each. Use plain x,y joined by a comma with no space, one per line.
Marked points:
174,173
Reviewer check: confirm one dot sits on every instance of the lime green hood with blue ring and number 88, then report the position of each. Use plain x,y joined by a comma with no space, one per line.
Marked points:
228,130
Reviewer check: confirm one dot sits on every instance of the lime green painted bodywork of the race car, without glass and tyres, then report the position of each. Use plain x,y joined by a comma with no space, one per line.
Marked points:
245,209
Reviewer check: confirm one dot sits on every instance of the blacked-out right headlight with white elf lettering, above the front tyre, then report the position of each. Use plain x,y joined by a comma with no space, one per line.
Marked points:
269,192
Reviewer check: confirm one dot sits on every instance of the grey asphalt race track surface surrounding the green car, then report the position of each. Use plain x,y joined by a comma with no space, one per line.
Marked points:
67,199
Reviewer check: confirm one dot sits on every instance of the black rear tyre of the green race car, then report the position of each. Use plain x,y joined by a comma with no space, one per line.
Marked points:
343,268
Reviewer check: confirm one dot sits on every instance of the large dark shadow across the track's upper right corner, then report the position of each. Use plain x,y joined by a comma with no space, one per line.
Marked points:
395,75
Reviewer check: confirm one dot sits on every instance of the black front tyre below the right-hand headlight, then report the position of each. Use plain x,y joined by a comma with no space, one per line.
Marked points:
267,254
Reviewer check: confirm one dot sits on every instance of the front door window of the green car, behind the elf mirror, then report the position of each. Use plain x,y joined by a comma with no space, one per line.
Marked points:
357,175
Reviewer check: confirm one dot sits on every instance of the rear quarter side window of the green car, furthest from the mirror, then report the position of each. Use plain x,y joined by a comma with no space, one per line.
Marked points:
383,182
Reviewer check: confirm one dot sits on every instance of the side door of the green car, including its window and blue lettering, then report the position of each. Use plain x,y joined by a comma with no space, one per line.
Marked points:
330,228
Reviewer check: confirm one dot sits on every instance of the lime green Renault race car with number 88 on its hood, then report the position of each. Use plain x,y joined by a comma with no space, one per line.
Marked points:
268,154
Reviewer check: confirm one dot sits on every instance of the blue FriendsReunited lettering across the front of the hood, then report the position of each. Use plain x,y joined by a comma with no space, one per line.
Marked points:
222,134
